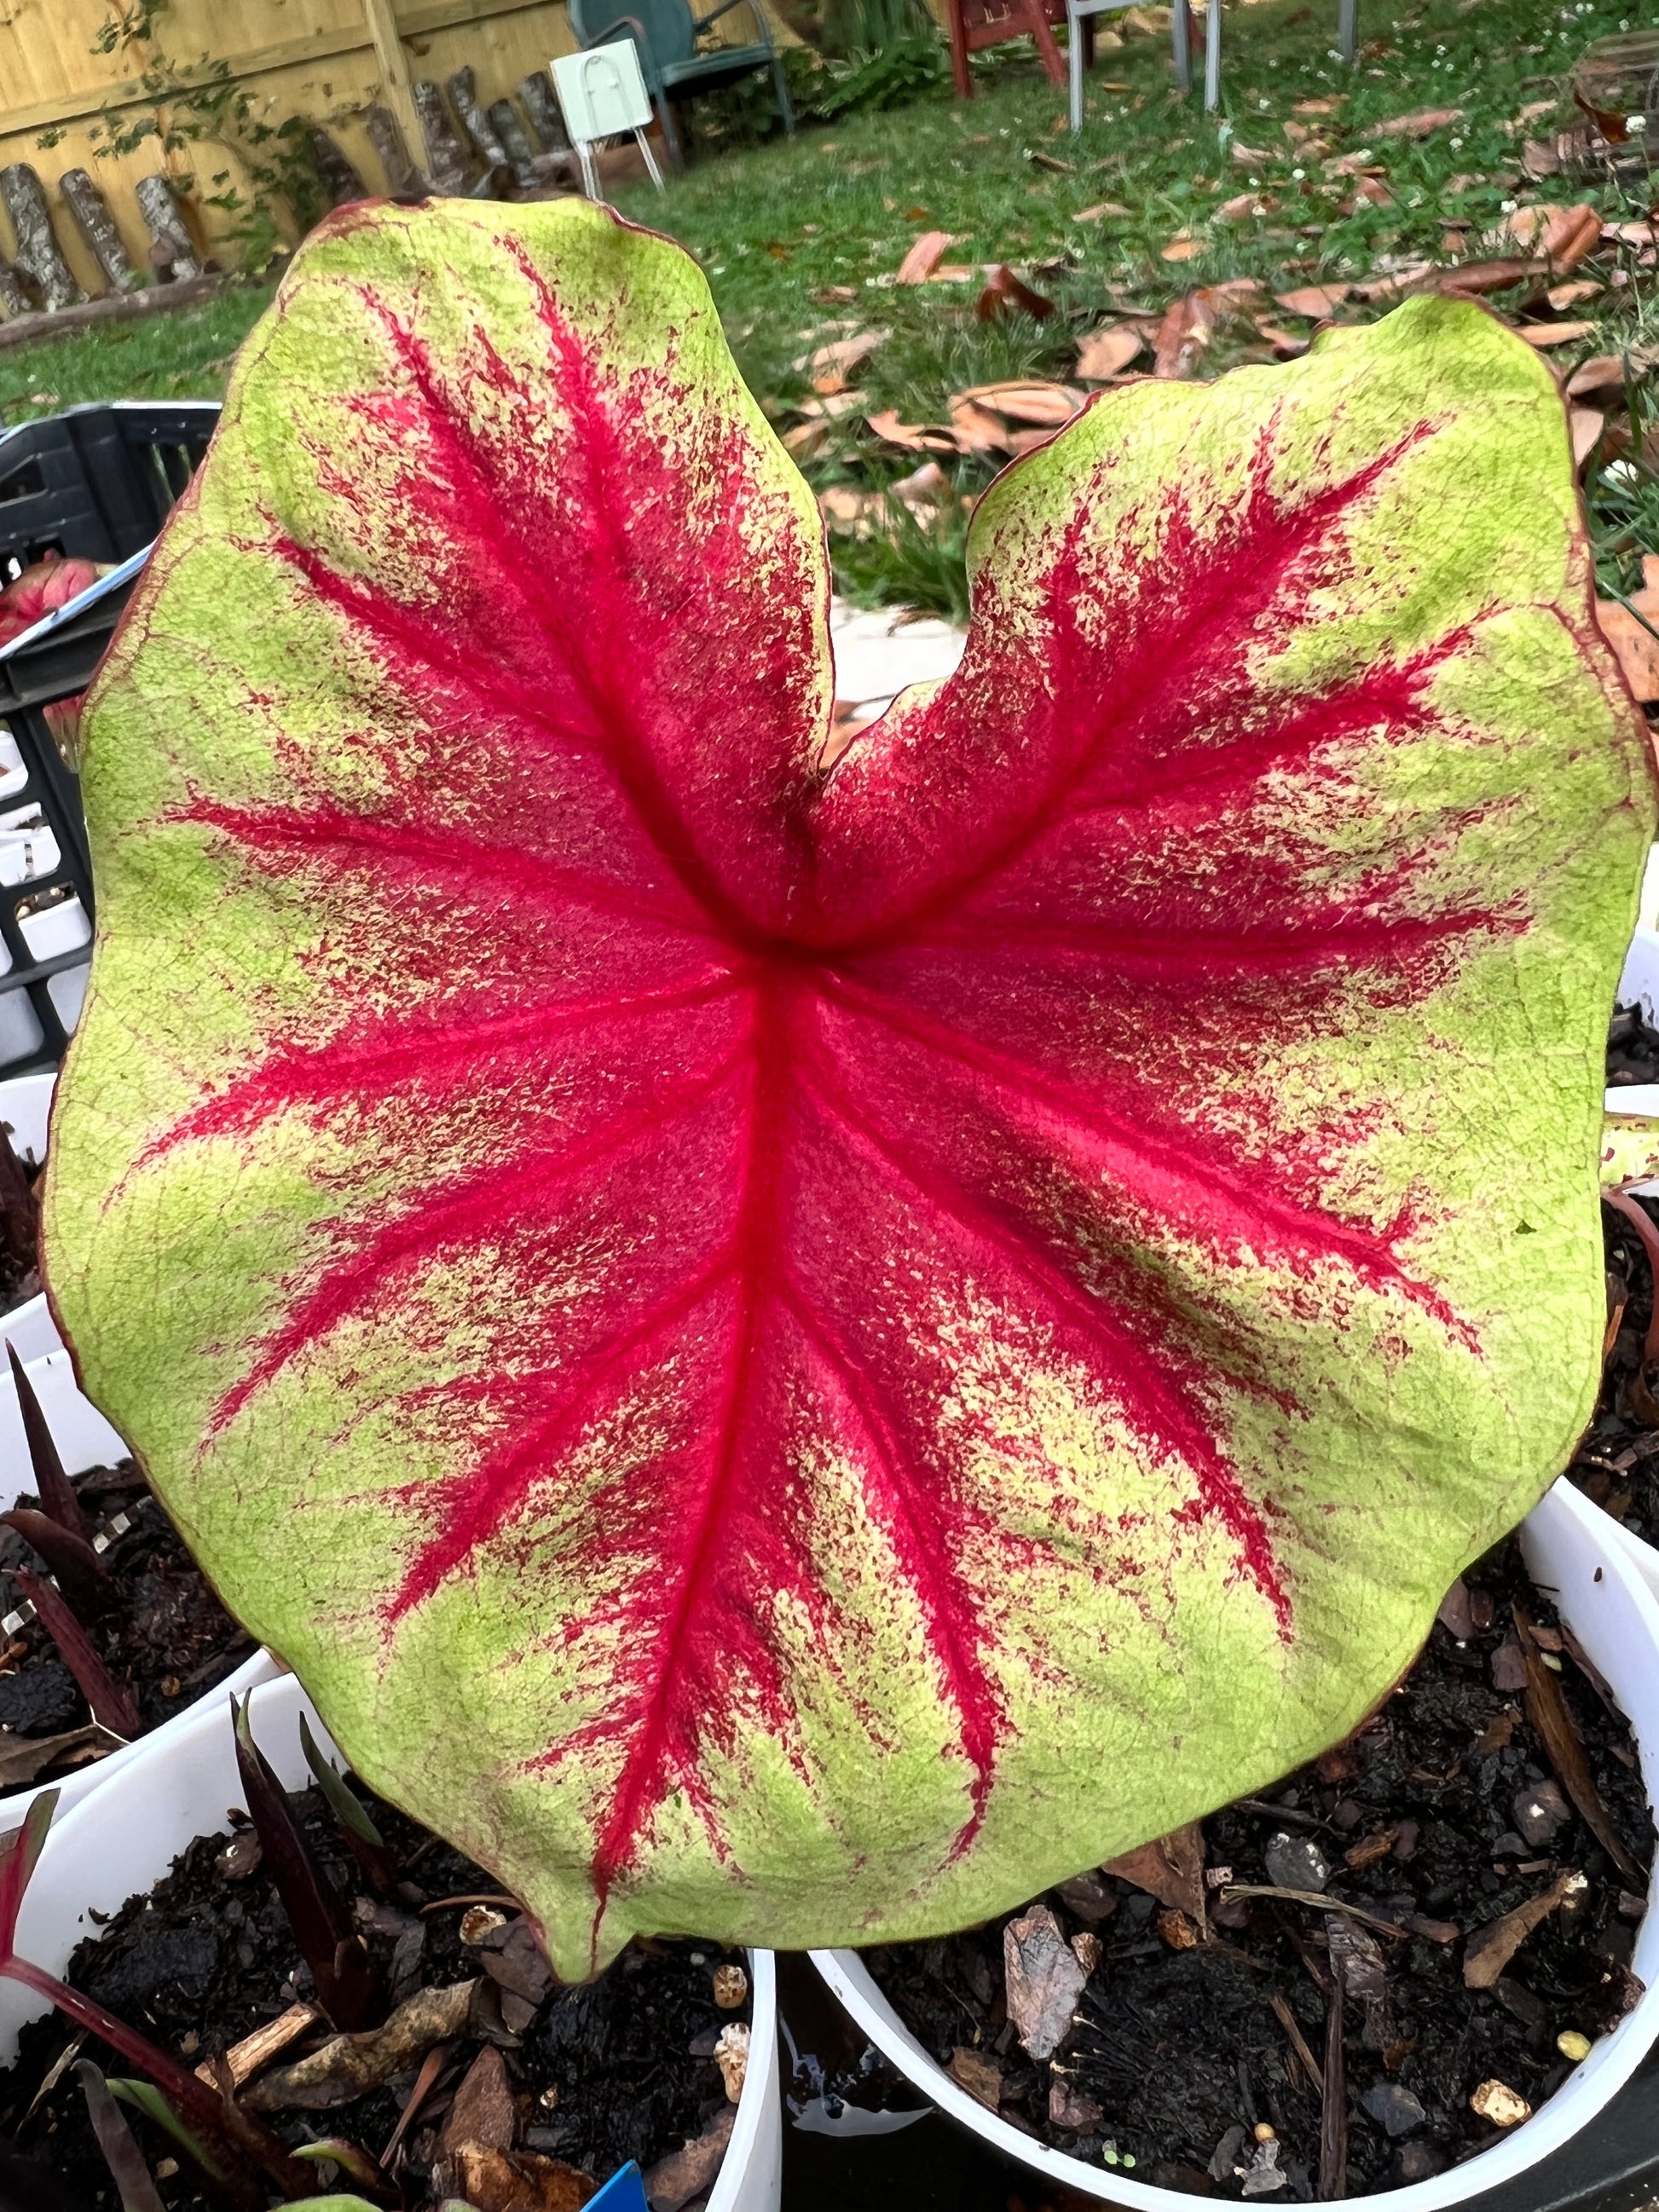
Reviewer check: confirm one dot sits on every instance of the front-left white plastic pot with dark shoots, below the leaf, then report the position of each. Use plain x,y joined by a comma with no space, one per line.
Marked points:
178,1786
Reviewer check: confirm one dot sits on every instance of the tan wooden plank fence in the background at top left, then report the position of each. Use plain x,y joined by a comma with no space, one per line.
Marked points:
326,61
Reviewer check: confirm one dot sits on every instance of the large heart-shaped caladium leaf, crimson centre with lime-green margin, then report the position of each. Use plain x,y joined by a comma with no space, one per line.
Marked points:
800,1355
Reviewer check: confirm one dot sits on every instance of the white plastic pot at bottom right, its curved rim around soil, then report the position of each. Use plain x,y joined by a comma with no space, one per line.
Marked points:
1585,1563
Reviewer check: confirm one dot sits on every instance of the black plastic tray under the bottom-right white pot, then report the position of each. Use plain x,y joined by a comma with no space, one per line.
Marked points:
937,2167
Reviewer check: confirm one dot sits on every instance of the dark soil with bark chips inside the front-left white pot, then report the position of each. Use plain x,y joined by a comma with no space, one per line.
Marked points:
603,2074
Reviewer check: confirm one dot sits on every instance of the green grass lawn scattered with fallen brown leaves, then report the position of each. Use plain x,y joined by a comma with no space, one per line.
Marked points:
800,236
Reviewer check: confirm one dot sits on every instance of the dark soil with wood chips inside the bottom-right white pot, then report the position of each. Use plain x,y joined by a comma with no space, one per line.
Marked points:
1180,2052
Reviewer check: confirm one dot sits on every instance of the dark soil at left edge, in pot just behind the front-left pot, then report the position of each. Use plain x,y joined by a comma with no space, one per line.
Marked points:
165,1636
